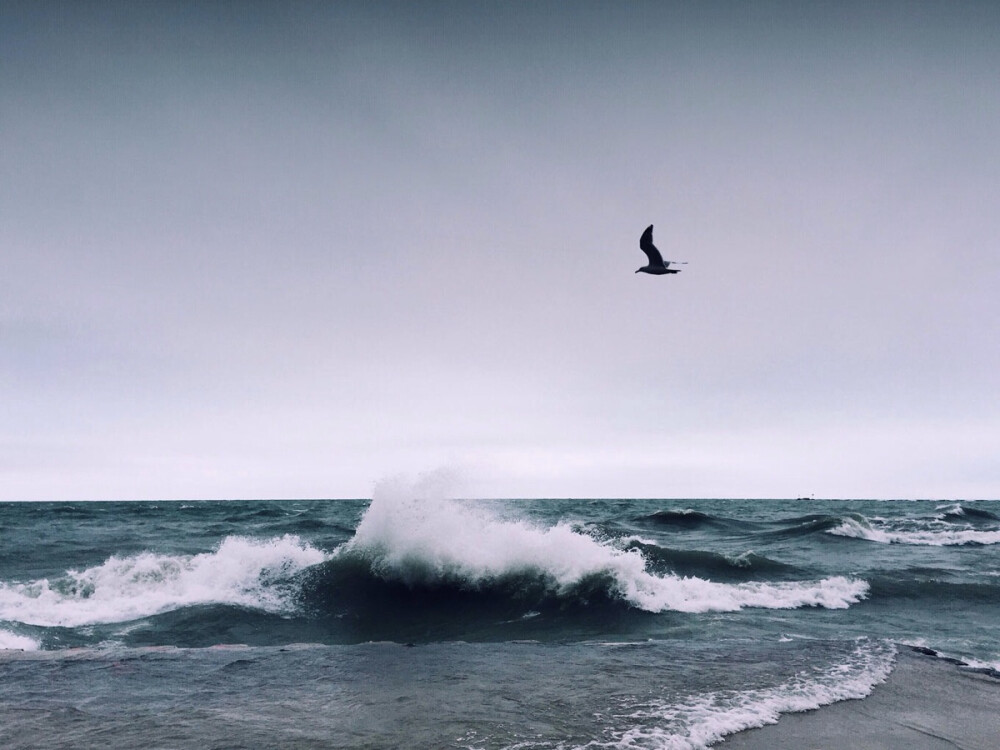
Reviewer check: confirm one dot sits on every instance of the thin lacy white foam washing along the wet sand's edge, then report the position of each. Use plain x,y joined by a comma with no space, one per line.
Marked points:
705,719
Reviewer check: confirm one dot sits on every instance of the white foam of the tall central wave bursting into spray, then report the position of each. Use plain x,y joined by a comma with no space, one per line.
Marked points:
433,539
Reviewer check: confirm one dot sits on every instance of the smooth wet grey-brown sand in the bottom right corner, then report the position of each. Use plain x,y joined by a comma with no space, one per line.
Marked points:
926,704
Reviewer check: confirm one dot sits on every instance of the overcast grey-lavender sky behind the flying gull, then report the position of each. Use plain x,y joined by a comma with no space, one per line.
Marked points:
288,250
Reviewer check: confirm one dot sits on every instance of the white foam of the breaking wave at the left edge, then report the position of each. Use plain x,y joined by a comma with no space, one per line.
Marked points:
240,571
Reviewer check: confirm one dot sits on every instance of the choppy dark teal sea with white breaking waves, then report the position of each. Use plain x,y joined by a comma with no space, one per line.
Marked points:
415,620
